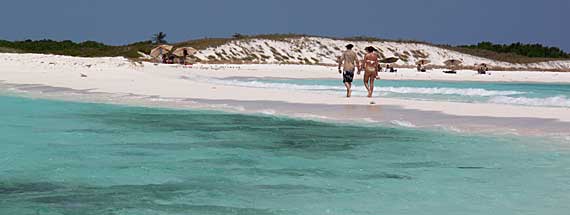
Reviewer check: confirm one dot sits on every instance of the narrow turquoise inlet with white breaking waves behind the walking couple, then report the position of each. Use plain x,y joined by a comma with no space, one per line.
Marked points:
529,94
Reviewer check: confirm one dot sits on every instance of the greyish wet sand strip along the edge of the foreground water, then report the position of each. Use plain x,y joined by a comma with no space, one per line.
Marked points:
389,115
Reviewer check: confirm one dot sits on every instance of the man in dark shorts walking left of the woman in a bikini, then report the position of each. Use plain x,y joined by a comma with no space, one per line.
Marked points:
349,62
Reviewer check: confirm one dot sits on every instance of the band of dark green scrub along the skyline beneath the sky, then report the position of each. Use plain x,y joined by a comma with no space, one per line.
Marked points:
514,53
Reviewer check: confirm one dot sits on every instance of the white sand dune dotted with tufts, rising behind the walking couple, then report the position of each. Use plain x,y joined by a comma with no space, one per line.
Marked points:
317,50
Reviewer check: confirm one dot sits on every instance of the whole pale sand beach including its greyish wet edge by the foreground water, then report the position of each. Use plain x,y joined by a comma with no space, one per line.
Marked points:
118,77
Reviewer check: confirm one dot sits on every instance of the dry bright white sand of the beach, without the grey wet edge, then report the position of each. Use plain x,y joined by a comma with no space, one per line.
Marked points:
121,76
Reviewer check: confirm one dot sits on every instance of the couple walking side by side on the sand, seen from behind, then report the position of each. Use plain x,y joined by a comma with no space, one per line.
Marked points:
349,62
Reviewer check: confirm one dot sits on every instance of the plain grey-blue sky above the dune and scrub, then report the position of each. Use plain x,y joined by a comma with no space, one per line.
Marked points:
439,21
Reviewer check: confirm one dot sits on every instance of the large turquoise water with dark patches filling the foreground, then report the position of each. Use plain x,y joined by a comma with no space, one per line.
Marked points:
77,158
